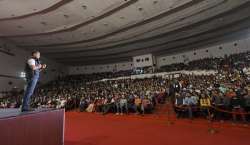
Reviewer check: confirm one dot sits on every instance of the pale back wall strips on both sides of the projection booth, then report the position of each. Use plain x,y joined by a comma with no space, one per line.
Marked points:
218,50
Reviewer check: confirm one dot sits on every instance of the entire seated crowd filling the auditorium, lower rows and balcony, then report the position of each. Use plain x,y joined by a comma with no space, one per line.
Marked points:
220,96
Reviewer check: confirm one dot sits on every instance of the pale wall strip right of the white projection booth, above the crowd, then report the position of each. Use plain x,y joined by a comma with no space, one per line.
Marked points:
220,50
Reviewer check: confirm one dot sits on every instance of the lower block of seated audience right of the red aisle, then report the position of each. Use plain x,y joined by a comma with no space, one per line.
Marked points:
222,95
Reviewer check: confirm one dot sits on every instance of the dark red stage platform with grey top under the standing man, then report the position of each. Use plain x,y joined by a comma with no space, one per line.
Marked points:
39,127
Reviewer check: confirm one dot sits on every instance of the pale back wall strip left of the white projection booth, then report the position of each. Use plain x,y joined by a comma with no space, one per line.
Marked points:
88,69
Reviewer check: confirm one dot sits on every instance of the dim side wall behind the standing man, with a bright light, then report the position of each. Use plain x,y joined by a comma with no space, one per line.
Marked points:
12,62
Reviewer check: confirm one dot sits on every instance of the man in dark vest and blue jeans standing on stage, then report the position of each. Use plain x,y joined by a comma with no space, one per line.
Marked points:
32,70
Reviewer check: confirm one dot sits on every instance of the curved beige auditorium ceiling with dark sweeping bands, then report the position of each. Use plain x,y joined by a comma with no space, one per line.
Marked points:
78,32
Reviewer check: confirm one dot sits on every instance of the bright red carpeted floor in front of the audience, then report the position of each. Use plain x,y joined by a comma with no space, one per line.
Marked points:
96,129
